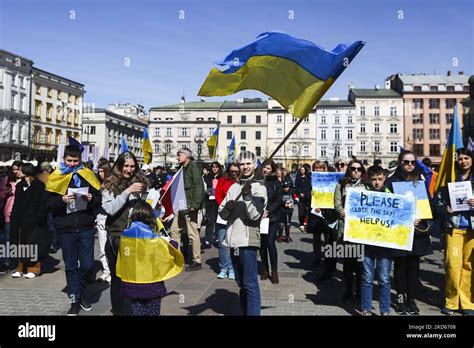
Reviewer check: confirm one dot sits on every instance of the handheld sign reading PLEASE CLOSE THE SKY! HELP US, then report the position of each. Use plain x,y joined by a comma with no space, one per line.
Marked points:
380,219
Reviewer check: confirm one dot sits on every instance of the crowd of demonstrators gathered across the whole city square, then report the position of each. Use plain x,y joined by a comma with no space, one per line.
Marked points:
41,207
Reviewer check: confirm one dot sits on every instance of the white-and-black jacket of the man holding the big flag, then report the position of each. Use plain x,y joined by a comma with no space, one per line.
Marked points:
243,222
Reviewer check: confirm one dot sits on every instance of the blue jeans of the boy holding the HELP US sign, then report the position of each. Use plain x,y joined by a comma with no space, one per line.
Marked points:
383,258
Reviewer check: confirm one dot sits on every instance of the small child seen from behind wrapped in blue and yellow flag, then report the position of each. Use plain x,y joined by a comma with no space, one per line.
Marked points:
144,261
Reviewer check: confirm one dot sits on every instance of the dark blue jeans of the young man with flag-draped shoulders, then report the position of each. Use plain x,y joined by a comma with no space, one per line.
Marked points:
78,256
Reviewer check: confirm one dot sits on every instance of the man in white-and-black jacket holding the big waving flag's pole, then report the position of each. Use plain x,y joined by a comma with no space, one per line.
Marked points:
243,208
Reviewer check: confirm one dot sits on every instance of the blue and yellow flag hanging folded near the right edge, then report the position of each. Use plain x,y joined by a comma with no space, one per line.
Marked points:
448,163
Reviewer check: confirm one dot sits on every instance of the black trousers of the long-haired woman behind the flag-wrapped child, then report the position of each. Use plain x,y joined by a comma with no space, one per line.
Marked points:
121,305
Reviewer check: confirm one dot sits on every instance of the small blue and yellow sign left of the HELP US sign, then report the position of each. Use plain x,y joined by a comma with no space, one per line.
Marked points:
323,186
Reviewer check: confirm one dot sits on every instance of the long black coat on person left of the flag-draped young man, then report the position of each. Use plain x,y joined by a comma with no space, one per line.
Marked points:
28,218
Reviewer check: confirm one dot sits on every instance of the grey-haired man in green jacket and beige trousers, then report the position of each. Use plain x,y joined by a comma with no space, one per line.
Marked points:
185,222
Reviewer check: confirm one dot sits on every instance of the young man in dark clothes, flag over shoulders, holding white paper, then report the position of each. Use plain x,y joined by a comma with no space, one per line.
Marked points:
74,226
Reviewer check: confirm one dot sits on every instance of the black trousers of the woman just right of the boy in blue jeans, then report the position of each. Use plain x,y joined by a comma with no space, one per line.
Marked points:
406,273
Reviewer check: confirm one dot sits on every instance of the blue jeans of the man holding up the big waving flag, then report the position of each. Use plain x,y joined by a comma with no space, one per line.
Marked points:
245,266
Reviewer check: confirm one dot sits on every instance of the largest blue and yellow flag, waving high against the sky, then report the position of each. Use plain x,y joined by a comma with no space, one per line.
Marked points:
293,71
